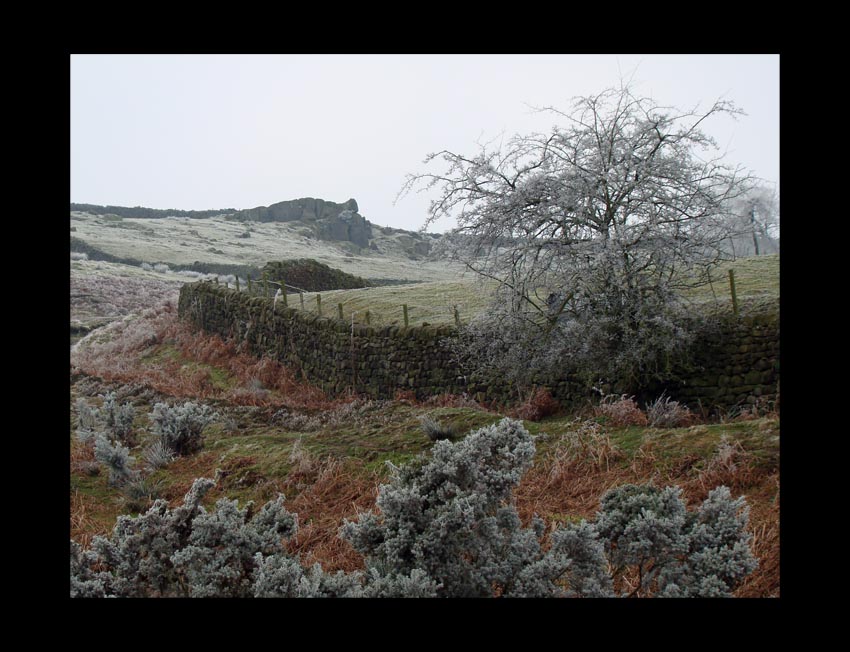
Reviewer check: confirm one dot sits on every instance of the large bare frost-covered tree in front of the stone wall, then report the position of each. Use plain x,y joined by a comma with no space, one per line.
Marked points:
589,231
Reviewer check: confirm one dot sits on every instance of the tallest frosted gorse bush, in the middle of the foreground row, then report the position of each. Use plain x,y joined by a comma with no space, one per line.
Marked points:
448,518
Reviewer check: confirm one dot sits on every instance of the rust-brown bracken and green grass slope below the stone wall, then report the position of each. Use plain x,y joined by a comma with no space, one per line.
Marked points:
273,434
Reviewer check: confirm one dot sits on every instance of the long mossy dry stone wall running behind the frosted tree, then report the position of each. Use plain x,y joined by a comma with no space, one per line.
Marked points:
736,364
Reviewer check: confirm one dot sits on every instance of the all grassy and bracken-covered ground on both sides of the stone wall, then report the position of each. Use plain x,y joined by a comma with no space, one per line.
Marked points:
272,433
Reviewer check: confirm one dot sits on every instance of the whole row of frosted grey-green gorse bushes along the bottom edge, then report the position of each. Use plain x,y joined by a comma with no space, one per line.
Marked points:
445,527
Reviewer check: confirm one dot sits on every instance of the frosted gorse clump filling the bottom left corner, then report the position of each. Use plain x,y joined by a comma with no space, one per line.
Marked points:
187,551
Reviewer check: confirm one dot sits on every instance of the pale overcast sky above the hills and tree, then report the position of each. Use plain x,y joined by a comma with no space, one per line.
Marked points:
209,131
